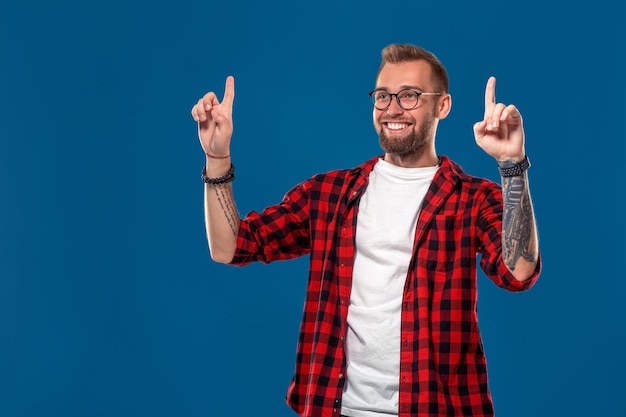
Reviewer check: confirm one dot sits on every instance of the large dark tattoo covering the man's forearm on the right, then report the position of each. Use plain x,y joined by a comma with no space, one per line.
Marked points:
517,222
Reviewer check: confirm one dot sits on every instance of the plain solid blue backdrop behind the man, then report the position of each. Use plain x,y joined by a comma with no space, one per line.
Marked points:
109,302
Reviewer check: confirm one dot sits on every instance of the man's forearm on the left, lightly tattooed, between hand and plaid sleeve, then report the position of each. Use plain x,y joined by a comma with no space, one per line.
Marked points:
221,216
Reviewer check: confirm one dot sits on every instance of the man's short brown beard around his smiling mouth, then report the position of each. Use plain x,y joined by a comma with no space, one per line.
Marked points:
412,144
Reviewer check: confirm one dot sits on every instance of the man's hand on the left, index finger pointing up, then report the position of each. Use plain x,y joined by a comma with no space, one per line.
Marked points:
215,121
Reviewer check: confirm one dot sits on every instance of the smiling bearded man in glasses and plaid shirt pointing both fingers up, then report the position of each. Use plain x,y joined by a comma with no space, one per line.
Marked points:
390,324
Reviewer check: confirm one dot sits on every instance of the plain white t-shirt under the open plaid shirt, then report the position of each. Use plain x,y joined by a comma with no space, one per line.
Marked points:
385,233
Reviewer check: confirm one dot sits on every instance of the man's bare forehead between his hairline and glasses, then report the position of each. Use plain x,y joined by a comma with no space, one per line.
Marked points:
405,74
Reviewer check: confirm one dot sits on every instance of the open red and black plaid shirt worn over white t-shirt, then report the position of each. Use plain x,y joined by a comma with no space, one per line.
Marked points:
442,364
